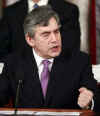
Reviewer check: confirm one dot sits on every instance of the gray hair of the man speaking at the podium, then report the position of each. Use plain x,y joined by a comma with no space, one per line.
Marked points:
39,17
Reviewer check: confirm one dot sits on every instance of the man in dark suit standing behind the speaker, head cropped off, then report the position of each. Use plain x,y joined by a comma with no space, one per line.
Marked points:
11,29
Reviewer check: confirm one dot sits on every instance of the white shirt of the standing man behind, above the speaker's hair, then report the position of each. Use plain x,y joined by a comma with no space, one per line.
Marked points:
40,3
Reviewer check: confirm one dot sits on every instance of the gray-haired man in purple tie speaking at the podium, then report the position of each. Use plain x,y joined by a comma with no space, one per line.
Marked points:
70,83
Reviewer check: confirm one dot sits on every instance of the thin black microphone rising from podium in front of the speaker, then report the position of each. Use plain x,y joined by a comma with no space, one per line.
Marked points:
17,96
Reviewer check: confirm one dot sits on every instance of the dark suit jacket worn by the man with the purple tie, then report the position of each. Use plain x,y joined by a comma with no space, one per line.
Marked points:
66,77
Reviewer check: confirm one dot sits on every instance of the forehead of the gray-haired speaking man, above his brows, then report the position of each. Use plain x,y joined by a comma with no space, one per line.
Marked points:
53,25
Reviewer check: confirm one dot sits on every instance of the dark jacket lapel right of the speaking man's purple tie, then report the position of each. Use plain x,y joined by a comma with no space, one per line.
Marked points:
55,75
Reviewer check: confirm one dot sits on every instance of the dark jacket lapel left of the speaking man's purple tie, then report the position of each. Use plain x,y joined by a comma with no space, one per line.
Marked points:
31,72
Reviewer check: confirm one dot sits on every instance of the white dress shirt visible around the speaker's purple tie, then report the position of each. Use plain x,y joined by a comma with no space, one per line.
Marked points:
39,63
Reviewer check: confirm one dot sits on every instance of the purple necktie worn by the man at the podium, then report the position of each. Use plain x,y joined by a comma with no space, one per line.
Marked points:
45,76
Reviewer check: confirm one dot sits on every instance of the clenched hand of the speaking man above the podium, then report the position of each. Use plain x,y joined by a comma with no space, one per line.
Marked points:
85,97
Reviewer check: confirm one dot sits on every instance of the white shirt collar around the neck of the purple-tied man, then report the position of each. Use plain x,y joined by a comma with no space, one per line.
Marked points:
40,59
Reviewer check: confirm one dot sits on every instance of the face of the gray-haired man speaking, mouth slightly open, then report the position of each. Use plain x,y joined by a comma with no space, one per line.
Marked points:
47,40
